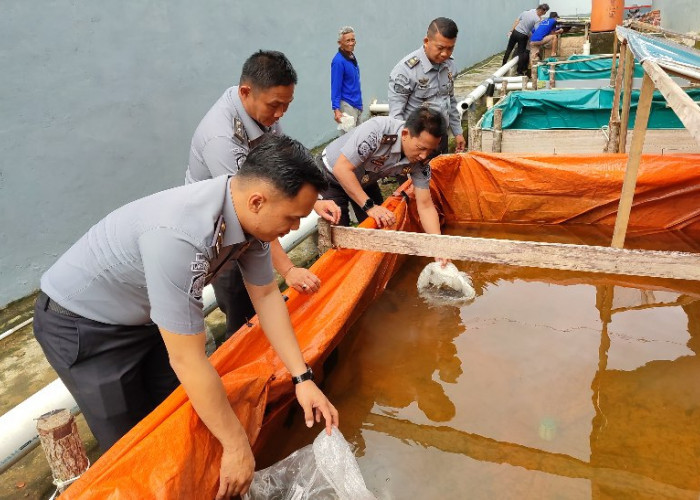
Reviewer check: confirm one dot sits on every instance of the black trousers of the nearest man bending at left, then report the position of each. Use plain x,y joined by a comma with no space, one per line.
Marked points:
117,374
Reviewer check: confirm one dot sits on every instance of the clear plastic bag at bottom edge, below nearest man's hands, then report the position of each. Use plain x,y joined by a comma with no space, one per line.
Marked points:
326,469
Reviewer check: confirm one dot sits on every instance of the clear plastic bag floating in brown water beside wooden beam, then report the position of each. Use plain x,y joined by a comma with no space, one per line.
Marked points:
445,286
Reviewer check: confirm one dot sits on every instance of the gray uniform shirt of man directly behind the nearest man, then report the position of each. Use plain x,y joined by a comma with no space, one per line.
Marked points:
223,139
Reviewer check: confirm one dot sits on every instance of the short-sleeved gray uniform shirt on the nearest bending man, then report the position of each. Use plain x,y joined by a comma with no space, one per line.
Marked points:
149,260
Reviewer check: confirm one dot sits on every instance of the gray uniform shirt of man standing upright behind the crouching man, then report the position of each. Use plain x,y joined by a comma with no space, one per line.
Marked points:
416,82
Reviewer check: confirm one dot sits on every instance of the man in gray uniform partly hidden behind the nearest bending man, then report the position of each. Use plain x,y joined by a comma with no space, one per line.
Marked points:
221,142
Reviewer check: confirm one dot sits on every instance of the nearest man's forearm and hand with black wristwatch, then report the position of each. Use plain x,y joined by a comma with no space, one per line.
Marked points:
274,320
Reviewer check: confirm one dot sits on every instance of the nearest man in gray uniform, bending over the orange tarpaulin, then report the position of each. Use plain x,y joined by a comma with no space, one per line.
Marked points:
120,313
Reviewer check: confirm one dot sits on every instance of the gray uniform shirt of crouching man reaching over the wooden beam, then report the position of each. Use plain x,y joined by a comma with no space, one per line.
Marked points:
374,149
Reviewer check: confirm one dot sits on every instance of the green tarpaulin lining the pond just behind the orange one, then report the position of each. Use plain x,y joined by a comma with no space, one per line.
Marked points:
575,109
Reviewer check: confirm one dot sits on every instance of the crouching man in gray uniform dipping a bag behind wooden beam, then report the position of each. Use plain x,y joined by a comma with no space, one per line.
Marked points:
382,147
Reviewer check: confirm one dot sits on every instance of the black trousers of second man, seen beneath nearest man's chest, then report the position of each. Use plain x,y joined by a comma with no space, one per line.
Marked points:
232,298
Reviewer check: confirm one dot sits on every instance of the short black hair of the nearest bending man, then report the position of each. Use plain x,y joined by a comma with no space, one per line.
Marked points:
285,163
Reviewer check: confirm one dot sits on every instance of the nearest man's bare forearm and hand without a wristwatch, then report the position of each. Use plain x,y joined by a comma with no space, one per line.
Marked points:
208,397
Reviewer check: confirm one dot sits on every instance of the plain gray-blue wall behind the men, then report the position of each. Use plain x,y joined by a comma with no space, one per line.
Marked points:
99,99
